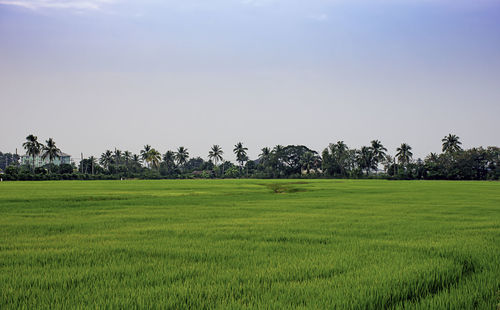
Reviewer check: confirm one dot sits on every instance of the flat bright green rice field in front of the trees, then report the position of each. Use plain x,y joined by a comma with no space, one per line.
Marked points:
318,244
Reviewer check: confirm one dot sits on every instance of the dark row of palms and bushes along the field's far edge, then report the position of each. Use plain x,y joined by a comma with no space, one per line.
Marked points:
337,160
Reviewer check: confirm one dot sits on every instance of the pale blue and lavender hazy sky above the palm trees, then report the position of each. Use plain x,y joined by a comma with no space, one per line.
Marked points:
106,74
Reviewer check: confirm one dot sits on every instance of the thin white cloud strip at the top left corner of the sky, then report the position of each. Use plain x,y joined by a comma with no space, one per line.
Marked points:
58,4
